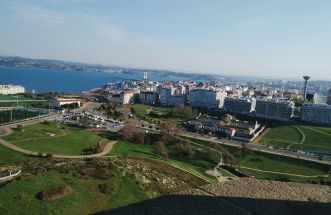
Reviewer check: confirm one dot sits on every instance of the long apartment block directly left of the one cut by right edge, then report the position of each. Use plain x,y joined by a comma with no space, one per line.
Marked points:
276,109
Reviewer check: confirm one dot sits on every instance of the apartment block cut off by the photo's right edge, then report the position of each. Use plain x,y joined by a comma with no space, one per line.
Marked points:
316,113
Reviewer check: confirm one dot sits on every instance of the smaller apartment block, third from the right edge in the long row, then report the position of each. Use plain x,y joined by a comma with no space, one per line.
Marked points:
239,105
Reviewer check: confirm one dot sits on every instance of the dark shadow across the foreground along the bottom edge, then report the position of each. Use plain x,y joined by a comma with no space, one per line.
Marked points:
208,205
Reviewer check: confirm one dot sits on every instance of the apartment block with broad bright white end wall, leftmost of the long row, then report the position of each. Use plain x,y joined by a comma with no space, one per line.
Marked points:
207,98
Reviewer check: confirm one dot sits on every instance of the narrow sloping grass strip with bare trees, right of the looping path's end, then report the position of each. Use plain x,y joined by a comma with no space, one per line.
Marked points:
197,166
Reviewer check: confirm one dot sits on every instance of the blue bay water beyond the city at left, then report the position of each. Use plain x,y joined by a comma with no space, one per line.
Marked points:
43,80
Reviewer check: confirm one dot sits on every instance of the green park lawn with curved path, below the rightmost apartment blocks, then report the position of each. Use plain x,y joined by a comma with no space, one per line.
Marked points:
299,137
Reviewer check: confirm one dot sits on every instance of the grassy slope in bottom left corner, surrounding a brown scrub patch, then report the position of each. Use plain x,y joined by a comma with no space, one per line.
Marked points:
84,198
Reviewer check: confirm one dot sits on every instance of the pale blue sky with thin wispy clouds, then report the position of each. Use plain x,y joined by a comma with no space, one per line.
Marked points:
266,38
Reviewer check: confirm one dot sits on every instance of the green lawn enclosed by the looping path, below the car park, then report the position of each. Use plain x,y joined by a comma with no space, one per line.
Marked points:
72,142
